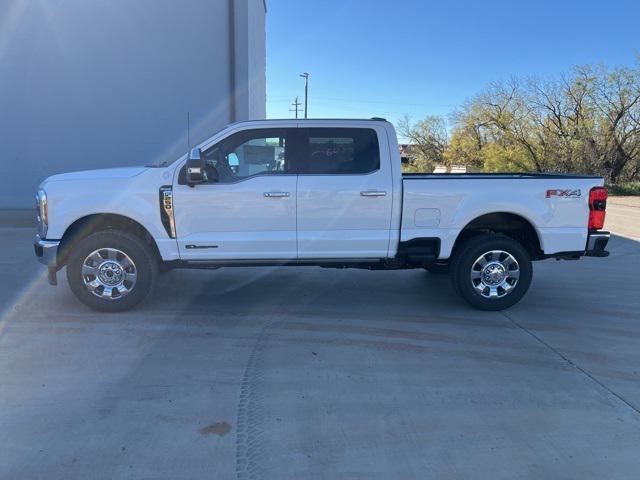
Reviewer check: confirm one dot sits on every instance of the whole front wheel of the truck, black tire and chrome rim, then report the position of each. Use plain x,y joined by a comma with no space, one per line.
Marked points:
111,271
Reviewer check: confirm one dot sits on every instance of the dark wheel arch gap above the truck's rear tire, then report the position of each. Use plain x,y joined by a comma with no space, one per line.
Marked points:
509,224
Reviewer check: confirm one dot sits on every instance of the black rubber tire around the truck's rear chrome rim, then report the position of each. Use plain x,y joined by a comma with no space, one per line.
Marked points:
465,258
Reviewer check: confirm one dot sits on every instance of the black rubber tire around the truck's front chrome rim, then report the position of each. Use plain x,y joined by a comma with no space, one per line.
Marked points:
146,268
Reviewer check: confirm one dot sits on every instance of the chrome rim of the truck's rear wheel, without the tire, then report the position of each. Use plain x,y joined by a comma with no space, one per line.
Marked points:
494,274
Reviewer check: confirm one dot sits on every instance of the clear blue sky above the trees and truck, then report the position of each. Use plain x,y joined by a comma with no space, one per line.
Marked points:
388,58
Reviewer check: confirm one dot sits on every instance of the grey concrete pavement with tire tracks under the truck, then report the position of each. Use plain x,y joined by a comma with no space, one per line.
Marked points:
295,373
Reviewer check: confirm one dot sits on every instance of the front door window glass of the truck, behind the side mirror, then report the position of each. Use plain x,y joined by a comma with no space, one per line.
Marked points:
246,154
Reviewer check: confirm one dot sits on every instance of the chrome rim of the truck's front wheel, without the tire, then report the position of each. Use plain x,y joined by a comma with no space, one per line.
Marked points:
109,273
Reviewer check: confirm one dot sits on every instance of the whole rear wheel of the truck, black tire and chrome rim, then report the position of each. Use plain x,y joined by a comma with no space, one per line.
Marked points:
491,272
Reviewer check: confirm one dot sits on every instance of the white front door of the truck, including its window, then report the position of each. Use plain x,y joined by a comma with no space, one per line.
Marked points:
247,207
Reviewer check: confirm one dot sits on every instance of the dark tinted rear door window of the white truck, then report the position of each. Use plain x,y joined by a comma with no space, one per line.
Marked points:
338,151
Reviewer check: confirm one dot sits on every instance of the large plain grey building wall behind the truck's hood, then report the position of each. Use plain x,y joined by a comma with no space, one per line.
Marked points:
100,84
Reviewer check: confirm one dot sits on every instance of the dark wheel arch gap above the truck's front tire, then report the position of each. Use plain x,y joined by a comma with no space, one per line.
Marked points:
85,226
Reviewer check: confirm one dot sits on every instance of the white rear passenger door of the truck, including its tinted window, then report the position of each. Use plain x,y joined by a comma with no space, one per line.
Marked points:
344,193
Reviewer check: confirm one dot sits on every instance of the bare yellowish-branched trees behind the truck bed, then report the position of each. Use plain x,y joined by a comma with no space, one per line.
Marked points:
585,121
